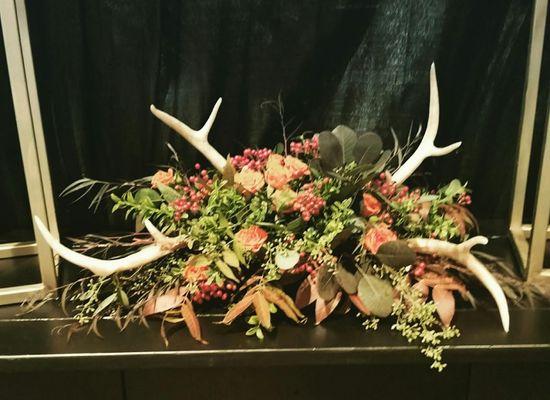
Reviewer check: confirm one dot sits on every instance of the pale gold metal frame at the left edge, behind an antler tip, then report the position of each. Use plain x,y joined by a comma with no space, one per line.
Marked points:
14,26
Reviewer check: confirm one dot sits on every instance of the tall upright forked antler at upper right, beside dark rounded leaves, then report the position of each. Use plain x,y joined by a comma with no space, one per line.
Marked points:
426,148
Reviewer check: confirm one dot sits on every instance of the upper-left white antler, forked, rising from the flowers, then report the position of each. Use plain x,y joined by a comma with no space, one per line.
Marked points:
199,139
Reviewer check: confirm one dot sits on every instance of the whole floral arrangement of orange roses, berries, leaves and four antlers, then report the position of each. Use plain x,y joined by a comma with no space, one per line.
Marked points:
325,221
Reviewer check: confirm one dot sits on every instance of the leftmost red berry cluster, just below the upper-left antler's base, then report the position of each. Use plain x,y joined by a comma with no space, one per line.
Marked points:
194,193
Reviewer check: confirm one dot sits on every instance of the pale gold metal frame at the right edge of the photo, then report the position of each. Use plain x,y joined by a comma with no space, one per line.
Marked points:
530,241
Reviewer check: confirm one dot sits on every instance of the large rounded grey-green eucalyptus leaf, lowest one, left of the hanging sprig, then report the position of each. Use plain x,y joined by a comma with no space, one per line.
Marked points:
376,294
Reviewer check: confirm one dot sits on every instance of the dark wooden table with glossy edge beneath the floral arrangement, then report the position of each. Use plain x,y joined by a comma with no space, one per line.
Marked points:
336,360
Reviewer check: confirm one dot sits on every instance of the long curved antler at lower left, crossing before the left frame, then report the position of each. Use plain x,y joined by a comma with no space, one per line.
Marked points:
161,247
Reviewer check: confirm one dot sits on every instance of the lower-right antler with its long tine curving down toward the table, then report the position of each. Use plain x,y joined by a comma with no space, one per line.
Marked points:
461,254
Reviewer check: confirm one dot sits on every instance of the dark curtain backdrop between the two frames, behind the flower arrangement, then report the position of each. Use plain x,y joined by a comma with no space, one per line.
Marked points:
100,64
